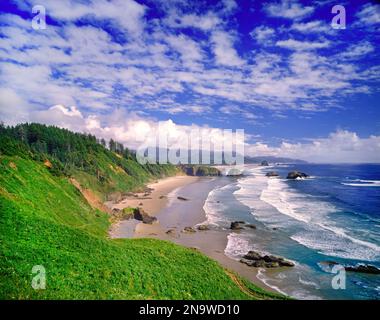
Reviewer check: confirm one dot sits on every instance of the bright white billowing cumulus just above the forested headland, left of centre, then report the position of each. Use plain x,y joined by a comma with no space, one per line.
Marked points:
129,128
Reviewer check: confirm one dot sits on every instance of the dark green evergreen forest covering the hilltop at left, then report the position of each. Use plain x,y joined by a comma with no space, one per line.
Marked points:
65,149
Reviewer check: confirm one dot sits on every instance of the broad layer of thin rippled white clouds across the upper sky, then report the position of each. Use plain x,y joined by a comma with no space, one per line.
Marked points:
85,66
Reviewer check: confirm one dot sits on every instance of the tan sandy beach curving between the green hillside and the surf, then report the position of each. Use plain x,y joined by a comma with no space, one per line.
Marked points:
174,215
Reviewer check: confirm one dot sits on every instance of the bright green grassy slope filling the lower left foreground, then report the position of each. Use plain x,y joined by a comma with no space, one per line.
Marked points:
44,220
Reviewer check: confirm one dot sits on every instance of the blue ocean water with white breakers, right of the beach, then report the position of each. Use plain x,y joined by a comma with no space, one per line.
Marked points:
334,215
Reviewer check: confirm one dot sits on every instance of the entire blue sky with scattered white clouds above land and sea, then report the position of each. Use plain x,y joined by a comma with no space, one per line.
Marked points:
276,69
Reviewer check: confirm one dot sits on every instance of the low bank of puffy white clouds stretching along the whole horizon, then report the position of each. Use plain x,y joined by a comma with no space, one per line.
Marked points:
134,131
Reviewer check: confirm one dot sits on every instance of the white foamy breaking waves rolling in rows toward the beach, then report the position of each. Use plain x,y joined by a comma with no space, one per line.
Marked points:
312,217
